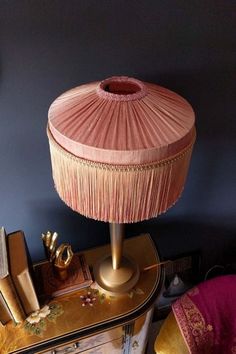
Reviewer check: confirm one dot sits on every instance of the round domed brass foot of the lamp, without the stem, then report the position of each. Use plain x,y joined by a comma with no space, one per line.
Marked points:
116,281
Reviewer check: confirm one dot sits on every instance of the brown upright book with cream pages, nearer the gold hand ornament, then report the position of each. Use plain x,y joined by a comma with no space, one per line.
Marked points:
20,272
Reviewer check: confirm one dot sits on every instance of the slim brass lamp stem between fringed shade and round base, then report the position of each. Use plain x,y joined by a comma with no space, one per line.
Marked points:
116,235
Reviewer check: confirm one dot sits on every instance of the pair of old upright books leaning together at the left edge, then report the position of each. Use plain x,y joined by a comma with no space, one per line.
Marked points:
18,297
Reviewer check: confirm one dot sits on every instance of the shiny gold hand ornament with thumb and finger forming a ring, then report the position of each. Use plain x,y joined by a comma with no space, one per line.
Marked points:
60,257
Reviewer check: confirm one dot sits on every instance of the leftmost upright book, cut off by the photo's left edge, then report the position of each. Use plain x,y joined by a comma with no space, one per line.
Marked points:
8,295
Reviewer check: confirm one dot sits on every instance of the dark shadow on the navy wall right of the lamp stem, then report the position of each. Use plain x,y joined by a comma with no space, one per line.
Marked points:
174,237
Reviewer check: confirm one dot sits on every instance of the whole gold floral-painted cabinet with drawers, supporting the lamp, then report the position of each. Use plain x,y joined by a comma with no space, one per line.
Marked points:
105,325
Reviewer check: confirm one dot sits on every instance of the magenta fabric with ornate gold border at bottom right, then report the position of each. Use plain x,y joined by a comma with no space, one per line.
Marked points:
206,316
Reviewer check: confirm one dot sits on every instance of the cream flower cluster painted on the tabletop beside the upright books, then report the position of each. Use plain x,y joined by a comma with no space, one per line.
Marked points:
36,323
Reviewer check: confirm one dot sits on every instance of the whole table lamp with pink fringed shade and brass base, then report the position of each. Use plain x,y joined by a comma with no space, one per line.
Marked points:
120,151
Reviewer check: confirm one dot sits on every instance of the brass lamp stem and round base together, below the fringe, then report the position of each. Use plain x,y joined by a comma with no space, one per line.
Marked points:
114,273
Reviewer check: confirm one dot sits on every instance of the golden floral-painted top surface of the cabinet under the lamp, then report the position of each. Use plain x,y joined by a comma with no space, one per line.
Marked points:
66,317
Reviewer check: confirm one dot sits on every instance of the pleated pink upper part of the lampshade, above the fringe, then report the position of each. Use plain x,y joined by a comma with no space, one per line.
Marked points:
122,121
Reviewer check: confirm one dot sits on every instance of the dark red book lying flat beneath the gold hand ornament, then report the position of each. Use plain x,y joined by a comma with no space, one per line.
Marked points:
50,285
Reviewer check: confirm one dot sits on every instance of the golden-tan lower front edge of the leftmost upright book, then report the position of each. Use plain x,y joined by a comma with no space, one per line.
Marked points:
11,300
